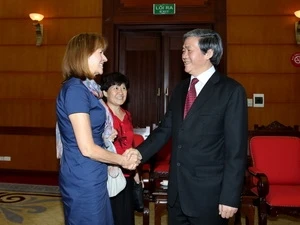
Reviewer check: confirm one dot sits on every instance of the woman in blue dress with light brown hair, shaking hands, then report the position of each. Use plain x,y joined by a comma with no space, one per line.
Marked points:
81,121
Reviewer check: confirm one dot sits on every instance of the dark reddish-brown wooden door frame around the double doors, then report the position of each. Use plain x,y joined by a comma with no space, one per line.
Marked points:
116,17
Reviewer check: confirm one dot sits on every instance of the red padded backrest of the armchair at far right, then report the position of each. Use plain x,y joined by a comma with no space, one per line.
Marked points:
278,157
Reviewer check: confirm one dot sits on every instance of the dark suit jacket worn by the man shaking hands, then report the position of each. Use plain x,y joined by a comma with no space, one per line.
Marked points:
209,146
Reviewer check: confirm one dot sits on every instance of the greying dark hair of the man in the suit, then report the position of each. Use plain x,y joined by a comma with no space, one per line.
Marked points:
208,39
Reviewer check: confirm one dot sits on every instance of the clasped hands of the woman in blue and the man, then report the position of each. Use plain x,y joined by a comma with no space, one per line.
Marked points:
132,158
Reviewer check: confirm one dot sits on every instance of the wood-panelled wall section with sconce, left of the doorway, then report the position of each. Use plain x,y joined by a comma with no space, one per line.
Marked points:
31,75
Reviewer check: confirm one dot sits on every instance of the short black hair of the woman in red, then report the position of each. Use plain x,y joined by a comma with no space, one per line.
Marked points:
114,78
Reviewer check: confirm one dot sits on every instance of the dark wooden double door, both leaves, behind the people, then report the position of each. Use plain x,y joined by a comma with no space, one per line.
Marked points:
152,61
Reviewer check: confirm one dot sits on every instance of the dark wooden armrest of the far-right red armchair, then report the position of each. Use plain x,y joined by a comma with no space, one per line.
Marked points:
262,184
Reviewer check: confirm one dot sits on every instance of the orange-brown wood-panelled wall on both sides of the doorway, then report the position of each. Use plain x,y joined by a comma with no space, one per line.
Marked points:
260,42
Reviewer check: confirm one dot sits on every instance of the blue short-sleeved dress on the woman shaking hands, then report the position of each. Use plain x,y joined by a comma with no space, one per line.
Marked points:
82,181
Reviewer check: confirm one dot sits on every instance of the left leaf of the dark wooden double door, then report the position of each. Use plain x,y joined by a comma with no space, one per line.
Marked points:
140,59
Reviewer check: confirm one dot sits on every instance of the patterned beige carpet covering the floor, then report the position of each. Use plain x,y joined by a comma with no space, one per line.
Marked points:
41,205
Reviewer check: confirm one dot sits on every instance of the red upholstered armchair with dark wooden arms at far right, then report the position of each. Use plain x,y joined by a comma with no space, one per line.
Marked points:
275,175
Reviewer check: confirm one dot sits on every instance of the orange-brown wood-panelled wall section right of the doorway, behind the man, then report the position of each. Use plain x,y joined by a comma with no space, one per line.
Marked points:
261,41
